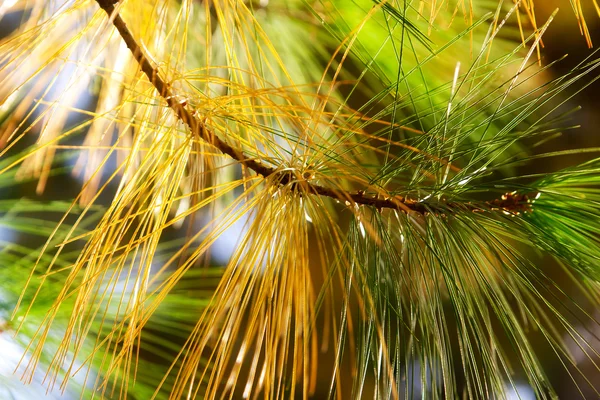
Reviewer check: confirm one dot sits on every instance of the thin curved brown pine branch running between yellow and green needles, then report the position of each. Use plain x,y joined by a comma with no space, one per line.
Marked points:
511,203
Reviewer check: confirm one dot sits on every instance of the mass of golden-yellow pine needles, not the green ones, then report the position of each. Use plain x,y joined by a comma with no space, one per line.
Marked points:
261,327
